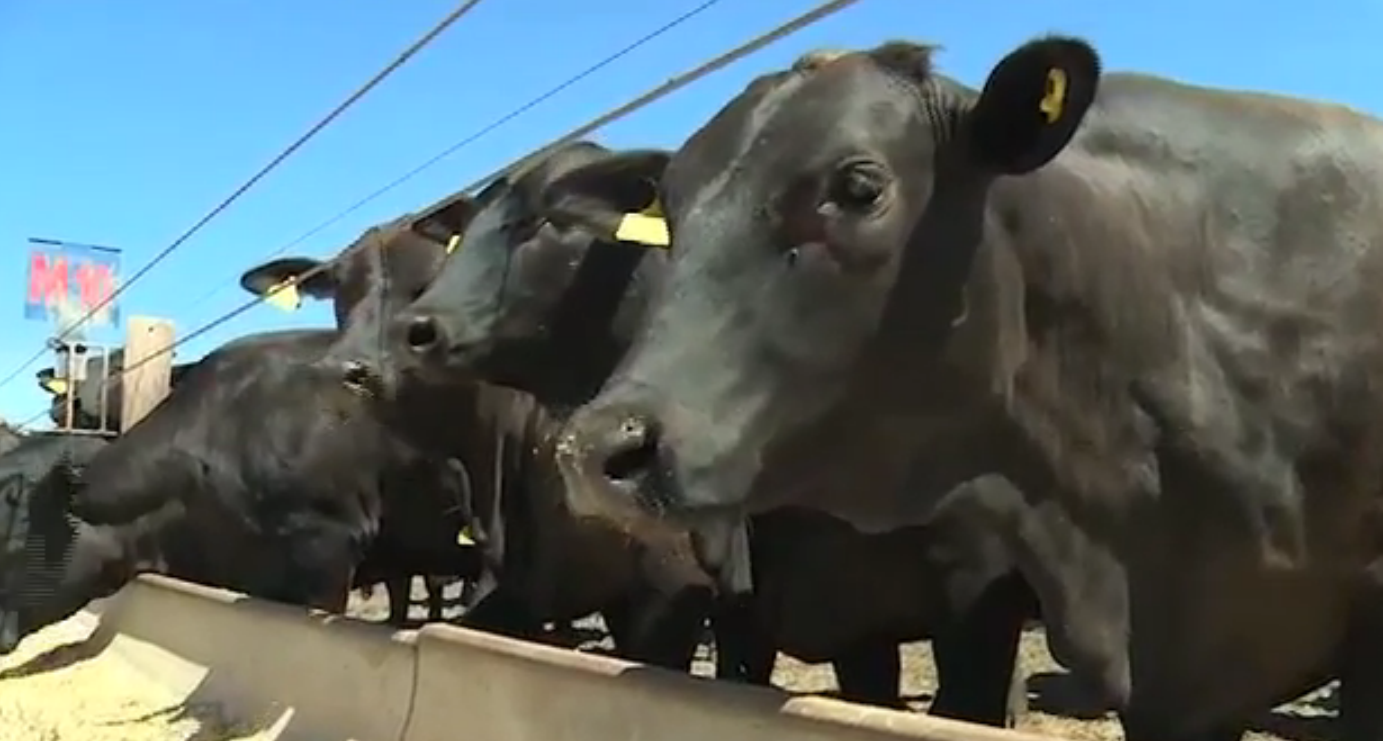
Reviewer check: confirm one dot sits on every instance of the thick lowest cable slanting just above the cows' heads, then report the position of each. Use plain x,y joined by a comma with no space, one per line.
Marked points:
673,85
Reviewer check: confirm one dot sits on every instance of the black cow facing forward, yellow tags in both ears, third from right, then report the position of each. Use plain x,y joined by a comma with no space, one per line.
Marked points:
647,590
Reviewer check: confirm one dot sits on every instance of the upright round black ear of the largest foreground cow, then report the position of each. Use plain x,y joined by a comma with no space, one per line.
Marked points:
1032,104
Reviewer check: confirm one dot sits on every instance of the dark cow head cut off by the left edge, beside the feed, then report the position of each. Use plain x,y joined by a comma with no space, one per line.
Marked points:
52,563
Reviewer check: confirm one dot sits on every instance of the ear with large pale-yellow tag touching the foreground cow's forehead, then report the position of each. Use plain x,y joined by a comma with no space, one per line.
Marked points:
616,198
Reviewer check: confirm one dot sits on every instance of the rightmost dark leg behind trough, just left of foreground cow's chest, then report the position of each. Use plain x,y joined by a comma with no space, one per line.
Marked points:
977,656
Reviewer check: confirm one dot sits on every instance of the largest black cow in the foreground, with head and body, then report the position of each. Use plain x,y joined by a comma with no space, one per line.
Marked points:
1154,309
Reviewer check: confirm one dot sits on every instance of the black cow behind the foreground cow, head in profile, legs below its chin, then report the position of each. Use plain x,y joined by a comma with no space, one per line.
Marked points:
551,305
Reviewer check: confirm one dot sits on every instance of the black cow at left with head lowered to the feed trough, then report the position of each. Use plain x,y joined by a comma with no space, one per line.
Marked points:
257,473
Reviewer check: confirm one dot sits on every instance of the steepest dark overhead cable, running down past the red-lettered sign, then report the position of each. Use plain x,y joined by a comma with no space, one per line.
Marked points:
370,85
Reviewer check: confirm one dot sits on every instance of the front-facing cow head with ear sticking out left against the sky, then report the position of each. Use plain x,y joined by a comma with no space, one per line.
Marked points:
385,270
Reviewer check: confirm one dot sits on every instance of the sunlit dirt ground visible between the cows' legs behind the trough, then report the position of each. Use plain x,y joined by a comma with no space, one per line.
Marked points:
1057,706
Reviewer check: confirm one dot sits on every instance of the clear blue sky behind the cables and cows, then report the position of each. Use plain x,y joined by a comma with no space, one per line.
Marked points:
122,122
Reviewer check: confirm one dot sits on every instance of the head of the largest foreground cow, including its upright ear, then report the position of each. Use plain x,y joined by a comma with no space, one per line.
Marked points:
792,214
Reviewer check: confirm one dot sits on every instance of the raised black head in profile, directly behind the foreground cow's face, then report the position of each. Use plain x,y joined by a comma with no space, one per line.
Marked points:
551,280
